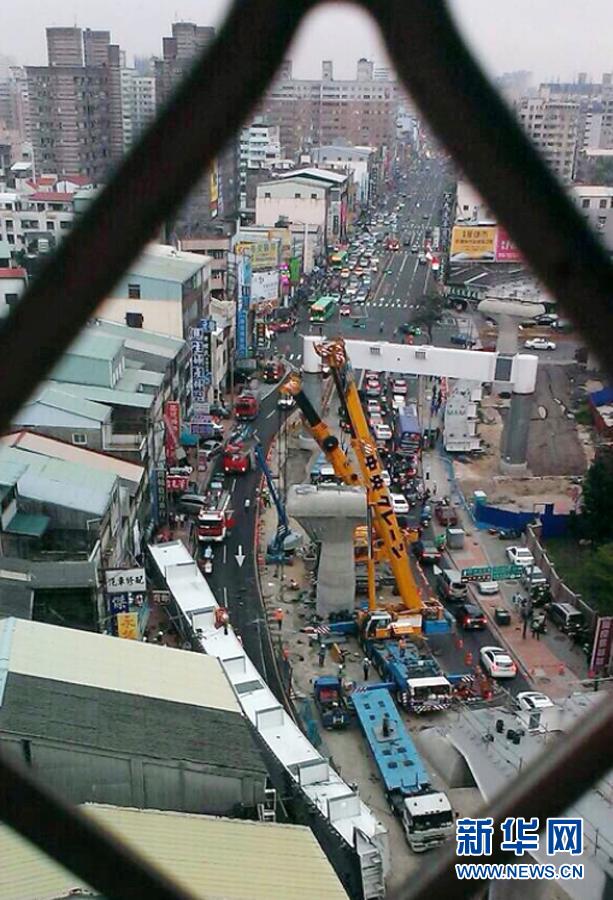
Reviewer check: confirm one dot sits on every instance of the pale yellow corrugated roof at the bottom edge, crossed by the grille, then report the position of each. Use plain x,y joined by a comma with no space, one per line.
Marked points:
214,858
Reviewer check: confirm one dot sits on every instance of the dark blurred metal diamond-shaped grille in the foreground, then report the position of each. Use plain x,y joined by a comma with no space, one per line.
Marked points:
211,104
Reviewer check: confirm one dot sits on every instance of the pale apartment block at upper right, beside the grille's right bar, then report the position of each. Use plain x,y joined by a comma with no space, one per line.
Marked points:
553,126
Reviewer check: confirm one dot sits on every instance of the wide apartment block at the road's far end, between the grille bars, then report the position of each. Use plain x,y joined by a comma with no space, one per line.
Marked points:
317,112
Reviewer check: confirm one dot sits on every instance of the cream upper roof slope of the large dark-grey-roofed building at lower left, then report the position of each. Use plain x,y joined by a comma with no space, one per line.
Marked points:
111,664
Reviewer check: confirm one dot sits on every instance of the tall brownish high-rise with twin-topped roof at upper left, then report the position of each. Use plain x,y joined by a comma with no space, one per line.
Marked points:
75,104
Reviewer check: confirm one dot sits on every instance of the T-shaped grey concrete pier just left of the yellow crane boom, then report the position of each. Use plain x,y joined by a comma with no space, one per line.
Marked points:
330,514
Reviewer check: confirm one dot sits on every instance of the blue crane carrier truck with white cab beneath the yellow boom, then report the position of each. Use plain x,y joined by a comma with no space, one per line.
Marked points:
419,683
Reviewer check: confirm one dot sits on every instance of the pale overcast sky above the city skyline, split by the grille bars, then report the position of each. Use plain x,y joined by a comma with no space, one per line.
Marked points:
551,38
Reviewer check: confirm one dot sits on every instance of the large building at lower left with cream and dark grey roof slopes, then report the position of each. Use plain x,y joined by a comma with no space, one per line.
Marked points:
102,719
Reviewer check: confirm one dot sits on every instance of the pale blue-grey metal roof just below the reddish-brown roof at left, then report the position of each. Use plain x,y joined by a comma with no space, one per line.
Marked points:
59,482
